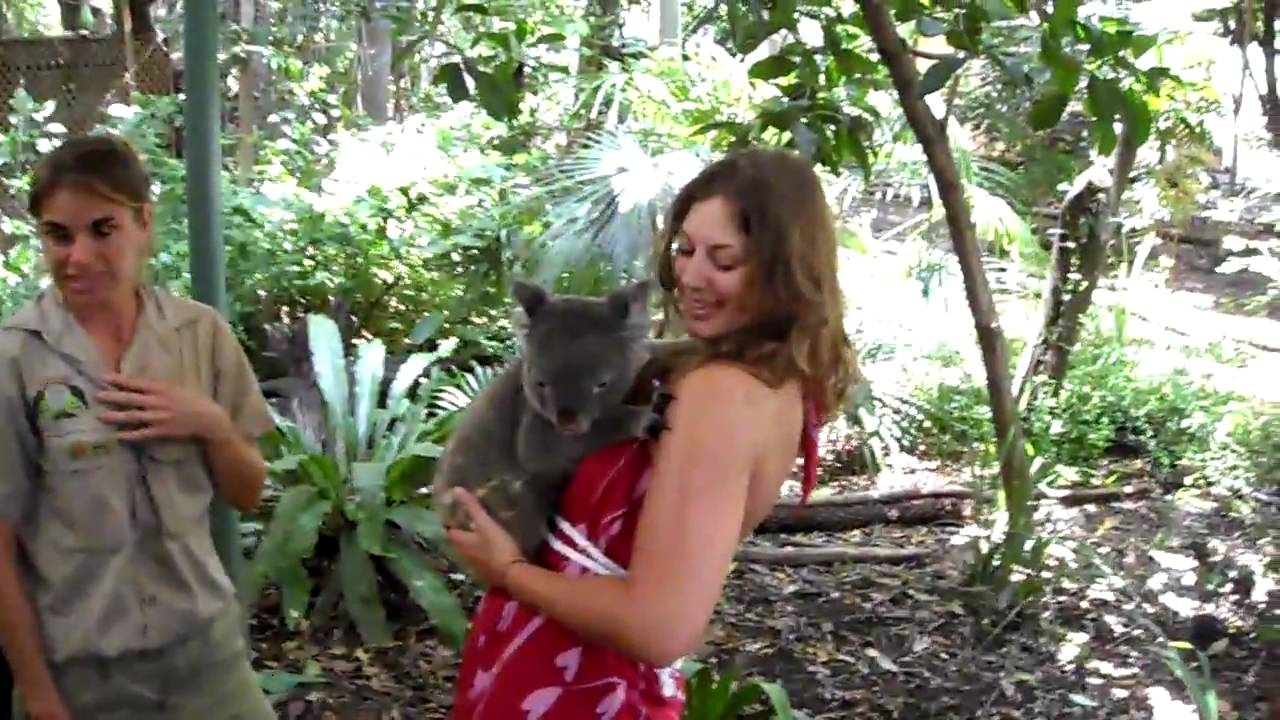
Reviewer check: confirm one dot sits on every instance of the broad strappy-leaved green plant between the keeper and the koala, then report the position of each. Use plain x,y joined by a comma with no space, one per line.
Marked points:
358,485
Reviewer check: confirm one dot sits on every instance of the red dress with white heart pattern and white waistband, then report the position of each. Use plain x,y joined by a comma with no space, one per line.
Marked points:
519,664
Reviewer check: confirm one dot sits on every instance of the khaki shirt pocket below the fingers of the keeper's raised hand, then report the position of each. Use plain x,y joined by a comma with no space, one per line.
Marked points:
181,486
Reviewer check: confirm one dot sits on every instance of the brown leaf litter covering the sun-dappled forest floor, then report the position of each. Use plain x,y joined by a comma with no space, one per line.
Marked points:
908,641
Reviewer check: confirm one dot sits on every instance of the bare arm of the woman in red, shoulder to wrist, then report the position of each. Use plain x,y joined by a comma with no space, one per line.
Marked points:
689,528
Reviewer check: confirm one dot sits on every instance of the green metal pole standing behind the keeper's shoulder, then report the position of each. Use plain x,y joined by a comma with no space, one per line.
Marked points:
203,149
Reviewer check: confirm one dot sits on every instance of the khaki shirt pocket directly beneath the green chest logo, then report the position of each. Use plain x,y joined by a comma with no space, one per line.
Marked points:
88,491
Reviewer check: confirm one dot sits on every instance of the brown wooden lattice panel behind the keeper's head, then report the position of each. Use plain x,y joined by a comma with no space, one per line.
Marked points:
83,74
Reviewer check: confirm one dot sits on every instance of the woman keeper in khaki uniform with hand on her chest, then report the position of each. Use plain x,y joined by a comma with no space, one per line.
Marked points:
122,411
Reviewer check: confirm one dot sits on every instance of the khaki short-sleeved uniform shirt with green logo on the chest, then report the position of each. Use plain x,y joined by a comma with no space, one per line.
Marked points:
116,541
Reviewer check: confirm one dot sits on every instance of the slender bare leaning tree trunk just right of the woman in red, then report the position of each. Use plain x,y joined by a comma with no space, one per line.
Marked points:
932,138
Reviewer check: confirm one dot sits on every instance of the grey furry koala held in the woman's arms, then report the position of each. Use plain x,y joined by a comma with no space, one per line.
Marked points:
519,443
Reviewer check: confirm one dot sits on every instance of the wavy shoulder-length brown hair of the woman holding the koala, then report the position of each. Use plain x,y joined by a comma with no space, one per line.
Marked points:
792,274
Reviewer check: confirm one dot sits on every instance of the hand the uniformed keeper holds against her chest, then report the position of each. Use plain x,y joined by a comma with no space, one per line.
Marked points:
162,411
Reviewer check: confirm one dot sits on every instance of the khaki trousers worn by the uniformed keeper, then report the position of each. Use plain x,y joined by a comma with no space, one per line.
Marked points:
203,677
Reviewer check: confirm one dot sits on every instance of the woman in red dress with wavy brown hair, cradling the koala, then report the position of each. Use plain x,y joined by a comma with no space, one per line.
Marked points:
648,530
